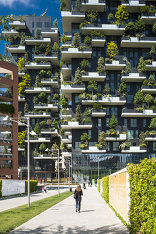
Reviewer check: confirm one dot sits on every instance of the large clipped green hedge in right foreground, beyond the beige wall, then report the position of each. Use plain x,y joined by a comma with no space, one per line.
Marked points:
142,214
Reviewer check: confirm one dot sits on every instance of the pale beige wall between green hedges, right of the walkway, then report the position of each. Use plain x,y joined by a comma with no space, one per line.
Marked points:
119,192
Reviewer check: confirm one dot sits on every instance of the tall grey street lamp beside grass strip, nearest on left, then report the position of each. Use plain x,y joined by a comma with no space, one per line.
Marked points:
7,118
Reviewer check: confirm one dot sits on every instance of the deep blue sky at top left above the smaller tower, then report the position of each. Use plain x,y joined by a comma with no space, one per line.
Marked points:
27,7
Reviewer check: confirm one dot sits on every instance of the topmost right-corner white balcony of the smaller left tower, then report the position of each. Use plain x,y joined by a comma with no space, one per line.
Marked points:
53,33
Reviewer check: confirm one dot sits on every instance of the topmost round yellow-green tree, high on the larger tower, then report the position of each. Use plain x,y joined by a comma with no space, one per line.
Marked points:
121,14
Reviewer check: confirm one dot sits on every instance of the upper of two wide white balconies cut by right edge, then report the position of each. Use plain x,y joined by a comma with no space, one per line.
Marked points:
135,42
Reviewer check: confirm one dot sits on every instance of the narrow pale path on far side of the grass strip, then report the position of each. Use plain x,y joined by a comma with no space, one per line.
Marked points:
13,202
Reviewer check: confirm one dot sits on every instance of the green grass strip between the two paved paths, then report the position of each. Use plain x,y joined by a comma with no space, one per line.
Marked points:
10,219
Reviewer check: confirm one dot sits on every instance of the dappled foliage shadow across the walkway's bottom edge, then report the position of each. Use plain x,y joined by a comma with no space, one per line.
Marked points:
112,229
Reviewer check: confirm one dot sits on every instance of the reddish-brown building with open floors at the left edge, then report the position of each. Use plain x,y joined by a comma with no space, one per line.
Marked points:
8,131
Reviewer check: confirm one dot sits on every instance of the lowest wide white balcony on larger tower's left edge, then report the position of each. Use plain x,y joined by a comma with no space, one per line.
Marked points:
76,125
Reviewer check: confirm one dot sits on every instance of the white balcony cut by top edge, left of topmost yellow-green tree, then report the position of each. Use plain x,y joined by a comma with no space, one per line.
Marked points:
97,5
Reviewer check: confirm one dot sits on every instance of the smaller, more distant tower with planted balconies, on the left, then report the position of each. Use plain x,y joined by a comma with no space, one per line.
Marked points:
34,44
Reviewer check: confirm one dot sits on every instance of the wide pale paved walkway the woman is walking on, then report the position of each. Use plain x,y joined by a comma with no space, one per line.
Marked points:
95,217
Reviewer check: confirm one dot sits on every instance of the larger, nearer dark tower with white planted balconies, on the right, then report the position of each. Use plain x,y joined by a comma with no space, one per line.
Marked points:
108,80
